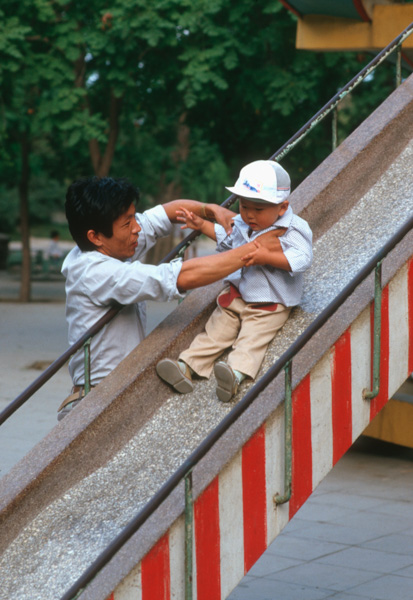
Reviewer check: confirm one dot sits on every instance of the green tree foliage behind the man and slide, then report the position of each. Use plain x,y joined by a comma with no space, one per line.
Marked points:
175,94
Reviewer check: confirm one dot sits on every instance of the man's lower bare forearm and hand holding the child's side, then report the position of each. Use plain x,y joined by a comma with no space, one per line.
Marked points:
204,270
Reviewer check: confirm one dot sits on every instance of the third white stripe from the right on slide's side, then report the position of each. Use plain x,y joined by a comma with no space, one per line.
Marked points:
321,418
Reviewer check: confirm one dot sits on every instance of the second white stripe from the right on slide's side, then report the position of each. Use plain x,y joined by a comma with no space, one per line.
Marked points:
360,371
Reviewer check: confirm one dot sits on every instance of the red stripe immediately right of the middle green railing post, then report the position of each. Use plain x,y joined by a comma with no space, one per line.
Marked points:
302,463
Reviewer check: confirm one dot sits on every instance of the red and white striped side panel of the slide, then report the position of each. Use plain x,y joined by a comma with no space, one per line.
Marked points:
235,518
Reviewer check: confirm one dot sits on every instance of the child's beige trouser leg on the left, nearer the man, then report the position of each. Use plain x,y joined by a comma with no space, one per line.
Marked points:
220,332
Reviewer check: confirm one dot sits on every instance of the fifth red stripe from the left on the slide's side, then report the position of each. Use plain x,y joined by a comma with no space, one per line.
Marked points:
341,396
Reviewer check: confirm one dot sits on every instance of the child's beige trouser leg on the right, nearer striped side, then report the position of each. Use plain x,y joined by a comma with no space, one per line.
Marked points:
258,328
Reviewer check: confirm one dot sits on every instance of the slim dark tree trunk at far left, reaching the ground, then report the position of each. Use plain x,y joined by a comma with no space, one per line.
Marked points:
25,287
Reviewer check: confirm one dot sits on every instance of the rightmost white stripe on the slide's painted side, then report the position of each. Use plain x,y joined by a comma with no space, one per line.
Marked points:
399,331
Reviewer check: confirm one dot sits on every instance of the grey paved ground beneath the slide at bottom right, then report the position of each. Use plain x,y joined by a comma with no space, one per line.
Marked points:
352,540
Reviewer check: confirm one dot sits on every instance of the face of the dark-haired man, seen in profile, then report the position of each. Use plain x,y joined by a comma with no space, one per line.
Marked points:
124,241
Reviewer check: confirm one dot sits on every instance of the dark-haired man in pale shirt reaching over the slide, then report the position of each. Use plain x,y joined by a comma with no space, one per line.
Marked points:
103,269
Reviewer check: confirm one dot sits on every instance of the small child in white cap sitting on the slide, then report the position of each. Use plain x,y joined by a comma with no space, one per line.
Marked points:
259,297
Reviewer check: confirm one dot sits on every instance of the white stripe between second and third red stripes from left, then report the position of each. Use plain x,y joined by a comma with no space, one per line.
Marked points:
231,526
